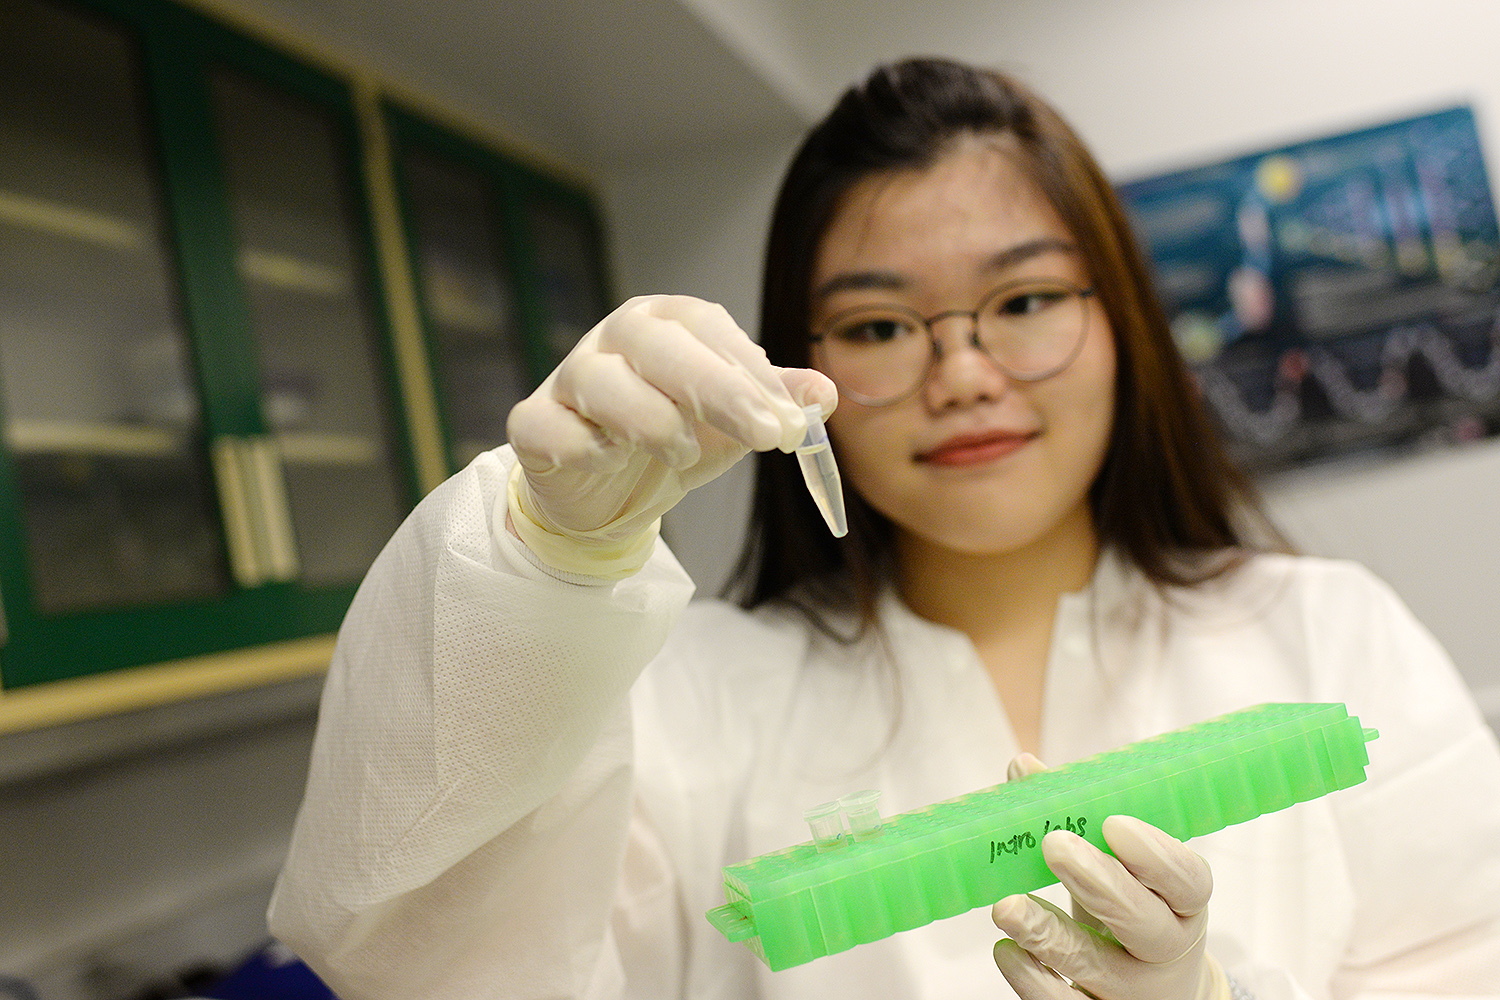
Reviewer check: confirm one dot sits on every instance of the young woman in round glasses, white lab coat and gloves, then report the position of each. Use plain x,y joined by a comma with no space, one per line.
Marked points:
535,755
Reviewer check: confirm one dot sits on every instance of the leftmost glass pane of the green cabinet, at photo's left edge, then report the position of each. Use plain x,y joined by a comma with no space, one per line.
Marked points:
101,400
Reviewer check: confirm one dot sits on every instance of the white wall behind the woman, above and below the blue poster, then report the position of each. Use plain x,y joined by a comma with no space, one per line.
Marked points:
1157,85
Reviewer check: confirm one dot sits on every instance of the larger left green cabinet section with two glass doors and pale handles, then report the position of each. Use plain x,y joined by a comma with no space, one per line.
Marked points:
202,448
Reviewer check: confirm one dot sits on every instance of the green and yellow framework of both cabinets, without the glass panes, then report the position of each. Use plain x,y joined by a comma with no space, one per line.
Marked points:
74,666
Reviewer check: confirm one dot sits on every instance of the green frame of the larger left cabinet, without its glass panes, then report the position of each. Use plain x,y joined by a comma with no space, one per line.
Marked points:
178,49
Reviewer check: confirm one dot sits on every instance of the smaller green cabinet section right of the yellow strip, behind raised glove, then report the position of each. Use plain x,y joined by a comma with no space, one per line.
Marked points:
509,274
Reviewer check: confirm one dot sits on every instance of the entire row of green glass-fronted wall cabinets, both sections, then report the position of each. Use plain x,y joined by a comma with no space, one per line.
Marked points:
209,424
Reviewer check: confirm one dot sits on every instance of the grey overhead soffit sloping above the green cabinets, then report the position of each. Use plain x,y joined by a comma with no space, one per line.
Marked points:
601,85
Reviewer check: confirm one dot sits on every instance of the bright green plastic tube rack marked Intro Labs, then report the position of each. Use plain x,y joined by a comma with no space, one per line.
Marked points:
809,900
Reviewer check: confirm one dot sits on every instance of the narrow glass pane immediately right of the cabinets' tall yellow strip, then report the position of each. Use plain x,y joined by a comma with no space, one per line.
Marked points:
466,283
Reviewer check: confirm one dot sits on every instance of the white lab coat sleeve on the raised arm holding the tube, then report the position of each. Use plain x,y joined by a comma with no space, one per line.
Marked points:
470,791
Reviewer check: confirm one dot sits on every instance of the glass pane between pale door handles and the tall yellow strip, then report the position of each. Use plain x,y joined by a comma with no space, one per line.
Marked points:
329,455
